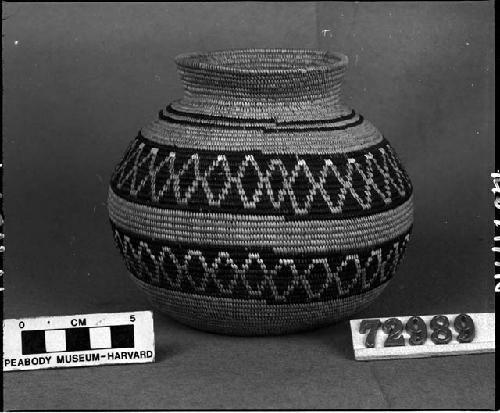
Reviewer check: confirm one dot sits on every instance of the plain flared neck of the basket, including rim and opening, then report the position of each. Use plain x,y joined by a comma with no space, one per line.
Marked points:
253,77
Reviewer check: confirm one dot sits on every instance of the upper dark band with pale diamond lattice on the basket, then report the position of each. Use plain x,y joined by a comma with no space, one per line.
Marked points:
316,186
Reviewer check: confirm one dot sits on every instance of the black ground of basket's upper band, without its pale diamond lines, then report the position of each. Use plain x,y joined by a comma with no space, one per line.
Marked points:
233,203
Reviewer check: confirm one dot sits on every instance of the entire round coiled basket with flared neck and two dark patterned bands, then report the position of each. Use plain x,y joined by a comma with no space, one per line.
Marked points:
259,204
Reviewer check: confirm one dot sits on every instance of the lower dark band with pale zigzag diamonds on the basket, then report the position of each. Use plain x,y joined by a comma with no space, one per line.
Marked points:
260,274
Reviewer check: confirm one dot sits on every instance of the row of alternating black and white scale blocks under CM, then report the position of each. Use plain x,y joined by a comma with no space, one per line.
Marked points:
77,339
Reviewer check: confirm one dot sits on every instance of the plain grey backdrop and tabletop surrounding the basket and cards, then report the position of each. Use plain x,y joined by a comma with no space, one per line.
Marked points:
81,79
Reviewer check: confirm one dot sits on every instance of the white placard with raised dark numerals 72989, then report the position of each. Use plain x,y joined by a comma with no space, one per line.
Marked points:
423,336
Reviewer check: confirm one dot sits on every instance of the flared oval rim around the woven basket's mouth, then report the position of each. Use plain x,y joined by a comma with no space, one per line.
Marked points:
197,61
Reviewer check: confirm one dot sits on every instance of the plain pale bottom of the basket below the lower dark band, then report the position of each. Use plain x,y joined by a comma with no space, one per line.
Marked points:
252,317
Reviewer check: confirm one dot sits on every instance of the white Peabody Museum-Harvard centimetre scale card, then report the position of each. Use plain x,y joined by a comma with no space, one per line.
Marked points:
78,340
